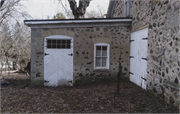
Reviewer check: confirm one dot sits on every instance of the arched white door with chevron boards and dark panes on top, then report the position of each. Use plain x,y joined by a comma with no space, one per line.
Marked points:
58,61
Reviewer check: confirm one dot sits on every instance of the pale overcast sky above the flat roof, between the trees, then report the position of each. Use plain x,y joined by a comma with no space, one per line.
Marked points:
41,9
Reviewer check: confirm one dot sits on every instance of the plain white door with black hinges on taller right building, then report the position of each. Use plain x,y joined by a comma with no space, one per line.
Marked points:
138,57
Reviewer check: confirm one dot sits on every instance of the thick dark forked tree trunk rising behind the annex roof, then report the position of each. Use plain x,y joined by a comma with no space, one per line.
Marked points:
79,12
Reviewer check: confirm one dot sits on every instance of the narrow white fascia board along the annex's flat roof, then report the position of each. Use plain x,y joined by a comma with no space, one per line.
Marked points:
34,22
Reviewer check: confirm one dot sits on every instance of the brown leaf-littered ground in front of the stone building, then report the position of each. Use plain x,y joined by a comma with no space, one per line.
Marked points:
19,97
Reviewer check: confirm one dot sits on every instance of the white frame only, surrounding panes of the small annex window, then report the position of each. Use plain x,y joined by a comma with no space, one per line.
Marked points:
108,57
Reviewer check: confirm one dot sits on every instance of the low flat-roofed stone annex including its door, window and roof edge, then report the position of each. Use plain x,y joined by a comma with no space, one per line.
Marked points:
70,52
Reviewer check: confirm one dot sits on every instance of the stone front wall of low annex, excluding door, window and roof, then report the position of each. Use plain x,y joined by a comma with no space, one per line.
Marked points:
83,56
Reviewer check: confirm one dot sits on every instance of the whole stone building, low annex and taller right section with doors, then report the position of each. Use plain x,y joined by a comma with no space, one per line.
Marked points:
146,32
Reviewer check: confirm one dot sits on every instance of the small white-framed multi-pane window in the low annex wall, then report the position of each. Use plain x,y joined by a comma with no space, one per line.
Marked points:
101,56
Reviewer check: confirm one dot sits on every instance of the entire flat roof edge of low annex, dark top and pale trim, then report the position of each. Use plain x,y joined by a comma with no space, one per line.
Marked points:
62,23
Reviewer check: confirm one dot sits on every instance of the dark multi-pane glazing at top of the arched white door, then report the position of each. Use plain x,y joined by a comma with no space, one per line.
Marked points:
58,44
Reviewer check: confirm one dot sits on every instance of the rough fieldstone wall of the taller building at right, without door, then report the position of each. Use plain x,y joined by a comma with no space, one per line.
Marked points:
162,18
